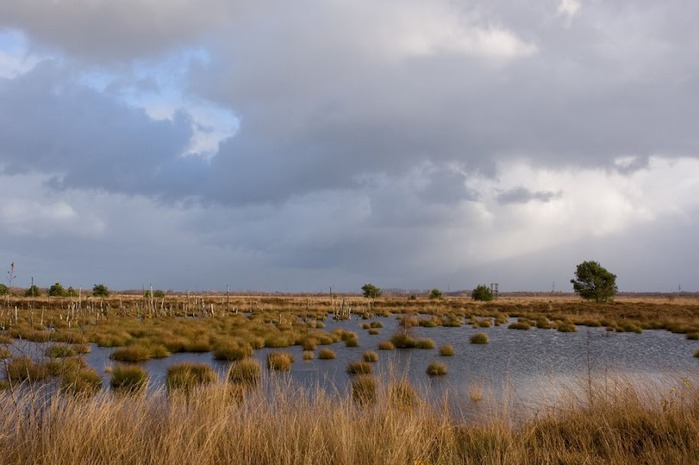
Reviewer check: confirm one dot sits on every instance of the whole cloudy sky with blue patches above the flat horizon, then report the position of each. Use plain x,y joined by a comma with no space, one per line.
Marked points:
297,146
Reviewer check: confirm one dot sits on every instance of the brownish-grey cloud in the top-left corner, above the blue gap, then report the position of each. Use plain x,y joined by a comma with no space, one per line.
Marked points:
109,32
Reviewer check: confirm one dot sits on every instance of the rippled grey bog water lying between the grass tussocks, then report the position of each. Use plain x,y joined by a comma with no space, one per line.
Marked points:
527,366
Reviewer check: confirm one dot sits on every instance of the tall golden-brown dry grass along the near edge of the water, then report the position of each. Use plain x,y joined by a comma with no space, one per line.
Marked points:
622,424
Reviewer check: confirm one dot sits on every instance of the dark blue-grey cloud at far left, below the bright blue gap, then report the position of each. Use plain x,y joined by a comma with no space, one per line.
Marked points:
85,139
